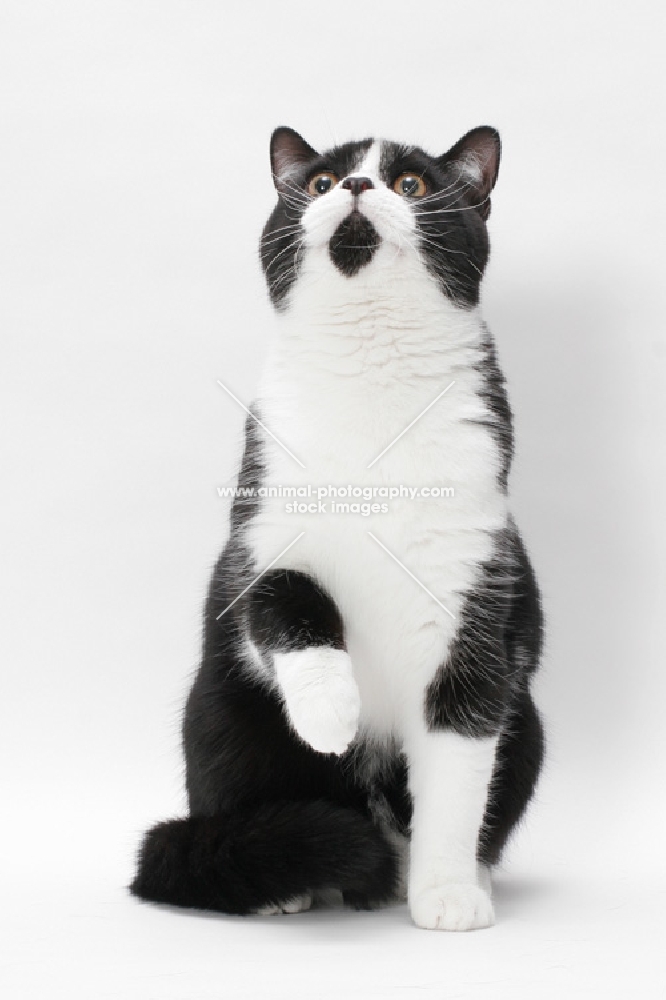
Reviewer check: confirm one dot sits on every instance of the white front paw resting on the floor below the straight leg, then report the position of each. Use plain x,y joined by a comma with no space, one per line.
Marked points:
452,907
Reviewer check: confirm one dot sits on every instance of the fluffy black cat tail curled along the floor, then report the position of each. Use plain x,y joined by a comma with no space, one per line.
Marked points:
242,862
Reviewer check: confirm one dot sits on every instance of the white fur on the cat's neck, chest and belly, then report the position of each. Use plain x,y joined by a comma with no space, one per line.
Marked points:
341,384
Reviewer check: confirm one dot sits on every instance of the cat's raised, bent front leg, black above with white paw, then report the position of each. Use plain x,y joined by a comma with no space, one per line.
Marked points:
297,626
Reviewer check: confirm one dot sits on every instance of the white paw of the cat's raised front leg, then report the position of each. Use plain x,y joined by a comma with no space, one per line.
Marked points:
321,696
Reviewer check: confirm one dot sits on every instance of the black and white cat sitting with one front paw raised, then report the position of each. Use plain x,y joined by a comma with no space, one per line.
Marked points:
361,720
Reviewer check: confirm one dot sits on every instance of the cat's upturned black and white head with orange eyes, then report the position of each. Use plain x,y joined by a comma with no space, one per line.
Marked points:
368,208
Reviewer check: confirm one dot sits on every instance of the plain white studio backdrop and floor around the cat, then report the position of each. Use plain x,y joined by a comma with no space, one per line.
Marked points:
134,181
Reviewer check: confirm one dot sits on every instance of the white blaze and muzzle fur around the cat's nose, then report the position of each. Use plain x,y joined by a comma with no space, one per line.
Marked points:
390,213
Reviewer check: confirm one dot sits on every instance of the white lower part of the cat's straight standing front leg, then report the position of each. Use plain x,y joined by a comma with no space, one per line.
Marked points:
449,777
